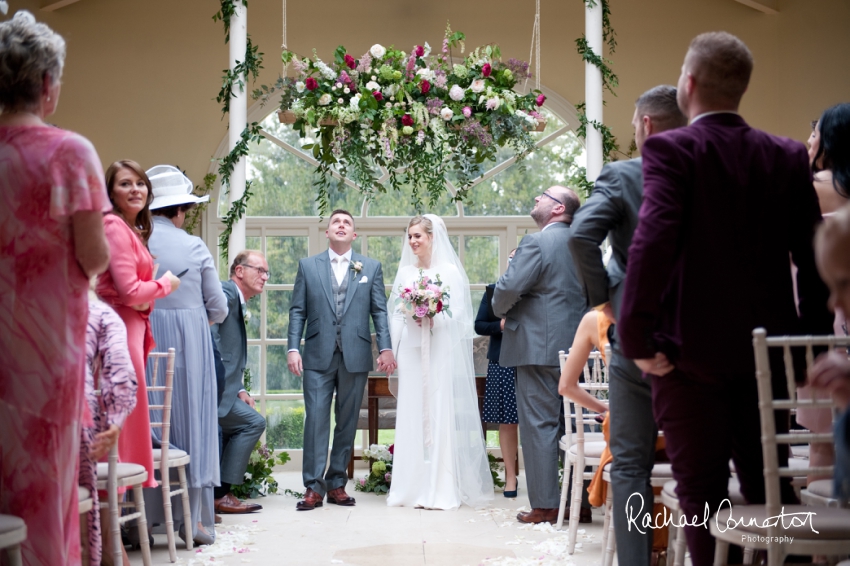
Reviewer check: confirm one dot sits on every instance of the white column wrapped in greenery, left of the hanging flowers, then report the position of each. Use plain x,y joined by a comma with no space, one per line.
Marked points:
238,121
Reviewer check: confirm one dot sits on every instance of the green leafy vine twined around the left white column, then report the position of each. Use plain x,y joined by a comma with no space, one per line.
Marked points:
231,79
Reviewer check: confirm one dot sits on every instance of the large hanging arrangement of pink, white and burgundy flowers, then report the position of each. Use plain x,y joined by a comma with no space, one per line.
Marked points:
417,115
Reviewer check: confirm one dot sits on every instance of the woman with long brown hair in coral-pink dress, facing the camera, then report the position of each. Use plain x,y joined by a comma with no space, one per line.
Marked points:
129,288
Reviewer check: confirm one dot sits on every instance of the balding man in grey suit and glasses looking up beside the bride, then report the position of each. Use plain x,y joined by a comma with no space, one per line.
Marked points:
542,302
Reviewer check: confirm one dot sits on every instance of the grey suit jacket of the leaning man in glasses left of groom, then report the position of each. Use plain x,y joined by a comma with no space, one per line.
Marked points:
232,342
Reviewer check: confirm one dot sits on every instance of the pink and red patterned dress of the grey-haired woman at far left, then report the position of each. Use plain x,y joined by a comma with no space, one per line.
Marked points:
46,176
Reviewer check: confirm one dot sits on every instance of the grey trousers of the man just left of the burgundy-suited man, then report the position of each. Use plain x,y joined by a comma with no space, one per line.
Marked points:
632,442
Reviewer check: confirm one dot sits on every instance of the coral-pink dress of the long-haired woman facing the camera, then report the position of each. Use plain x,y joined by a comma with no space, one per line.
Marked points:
129,282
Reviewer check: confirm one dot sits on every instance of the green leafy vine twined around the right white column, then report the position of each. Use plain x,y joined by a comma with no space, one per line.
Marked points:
610,147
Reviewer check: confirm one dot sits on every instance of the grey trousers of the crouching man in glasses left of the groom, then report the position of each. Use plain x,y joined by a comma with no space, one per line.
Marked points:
241,428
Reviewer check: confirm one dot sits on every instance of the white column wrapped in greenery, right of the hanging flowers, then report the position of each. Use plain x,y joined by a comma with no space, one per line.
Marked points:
593,89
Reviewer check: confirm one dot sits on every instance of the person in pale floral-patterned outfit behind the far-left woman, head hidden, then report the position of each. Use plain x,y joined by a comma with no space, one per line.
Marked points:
108,368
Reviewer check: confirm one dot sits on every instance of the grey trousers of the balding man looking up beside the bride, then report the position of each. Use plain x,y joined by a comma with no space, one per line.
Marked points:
539,408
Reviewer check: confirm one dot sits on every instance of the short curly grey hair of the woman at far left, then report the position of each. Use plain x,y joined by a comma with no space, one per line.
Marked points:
29,51
